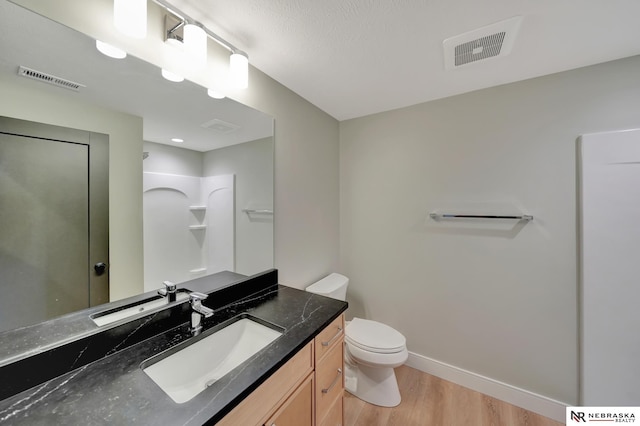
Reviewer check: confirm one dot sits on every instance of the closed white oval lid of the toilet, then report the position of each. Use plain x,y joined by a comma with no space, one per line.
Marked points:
374,336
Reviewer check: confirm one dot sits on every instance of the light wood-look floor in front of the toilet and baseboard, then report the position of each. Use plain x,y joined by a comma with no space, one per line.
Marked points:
430,401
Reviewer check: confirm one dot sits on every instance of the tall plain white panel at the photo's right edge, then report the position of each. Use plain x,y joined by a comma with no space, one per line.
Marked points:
610,263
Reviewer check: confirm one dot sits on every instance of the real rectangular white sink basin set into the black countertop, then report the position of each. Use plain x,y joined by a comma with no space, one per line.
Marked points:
191,370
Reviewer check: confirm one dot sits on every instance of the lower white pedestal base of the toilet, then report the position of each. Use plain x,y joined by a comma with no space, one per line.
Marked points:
375,385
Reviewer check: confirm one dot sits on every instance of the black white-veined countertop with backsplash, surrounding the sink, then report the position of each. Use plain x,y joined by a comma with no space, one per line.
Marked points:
113,389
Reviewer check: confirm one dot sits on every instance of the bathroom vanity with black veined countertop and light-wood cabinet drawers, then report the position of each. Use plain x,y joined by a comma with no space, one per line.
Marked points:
72,371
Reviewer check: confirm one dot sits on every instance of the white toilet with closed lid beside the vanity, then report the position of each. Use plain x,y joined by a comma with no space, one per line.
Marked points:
372,350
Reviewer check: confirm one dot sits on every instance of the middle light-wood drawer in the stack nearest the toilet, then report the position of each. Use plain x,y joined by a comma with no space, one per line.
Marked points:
329,379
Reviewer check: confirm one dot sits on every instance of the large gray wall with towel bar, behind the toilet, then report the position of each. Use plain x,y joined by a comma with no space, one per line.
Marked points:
497,299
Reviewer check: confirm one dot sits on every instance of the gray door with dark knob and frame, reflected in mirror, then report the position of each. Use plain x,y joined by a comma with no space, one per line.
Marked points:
46,259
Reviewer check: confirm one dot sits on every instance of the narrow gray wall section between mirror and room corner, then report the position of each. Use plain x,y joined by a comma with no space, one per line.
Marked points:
307,219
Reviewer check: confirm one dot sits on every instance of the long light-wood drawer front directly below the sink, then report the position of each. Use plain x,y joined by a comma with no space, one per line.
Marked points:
258,407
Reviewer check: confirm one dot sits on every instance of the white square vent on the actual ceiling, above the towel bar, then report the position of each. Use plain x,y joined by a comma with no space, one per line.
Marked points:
487,42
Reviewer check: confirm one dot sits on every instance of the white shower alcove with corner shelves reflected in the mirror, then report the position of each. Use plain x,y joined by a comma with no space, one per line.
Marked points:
194,211
